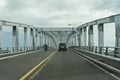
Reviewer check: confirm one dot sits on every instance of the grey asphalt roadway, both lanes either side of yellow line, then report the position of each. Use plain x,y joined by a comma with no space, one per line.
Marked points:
63,66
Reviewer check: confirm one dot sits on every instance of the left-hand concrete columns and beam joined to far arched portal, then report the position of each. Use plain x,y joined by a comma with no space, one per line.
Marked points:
38,36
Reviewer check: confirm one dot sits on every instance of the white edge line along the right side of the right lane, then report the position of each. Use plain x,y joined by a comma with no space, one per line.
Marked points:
99,66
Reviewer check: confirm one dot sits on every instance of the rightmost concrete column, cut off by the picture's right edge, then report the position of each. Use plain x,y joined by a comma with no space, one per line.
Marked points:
117,34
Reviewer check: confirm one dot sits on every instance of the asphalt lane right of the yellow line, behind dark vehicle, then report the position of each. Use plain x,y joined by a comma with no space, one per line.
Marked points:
70,66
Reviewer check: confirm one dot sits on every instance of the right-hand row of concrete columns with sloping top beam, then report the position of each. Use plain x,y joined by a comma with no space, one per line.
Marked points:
82,31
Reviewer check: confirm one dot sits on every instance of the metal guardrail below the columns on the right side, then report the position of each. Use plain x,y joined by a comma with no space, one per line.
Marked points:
102,50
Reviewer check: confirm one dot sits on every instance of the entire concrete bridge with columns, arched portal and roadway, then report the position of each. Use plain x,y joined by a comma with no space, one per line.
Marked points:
82,60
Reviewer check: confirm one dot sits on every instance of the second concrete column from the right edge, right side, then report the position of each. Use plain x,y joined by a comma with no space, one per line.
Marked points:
101,35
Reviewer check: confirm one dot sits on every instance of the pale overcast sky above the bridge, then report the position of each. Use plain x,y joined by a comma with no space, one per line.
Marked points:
57,12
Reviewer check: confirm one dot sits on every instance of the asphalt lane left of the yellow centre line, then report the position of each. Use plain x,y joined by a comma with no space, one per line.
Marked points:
15,67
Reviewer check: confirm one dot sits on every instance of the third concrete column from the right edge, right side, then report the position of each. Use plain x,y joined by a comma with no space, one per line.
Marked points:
90,36
